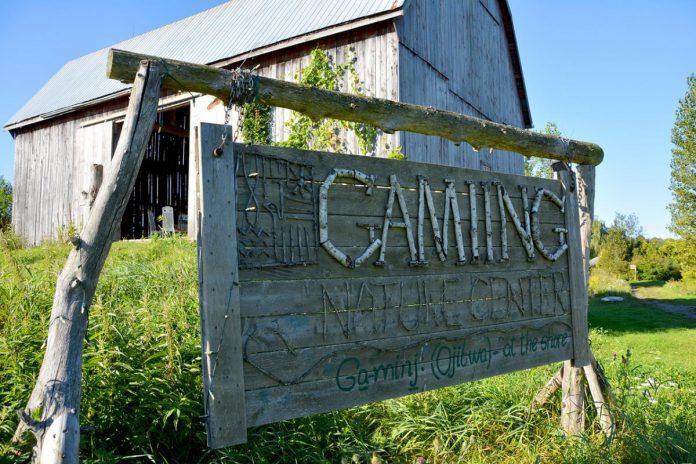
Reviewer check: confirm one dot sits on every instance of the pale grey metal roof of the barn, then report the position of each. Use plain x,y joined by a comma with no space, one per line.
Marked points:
227,30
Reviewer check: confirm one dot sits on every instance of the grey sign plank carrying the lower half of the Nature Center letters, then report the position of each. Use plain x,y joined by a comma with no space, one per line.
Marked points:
331,324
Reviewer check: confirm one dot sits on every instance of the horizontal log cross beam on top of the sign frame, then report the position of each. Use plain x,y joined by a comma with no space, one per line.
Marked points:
384,114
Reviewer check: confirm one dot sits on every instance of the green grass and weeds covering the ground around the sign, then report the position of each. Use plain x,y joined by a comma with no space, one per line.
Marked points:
142,382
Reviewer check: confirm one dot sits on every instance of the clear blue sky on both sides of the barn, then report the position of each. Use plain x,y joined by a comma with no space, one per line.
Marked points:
610,72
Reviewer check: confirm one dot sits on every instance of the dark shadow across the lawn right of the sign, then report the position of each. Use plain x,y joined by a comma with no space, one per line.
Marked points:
632,315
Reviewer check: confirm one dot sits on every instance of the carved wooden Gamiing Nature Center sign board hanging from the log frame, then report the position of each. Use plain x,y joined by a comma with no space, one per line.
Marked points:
329,281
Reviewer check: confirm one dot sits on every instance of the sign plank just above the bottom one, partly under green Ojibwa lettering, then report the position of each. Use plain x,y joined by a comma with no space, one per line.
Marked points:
303,365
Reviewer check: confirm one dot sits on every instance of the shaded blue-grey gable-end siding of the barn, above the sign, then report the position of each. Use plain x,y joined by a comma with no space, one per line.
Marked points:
454,55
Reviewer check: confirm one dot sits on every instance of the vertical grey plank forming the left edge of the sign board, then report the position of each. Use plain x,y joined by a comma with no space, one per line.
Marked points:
223,376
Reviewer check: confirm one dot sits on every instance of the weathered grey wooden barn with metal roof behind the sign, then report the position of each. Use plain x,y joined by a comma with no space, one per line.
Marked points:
458,55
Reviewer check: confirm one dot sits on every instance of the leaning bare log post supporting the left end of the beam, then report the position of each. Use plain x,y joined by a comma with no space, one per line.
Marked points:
56,395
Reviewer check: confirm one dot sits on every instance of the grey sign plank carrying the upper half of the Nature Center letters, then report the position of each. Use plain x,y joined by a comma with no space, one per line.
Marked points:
306,296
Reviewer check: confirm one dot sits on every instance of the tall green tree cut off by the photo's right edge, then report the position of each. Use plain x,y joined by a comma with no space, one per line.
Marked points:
683,178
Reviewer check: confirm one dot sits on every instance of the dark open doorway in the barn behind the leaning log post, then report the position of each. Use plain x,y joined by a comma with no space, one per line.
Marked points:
163,177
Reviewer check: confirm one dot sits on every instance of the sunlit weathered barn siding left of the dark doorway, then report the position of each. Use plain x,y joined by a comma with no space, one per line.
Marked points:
52,170
